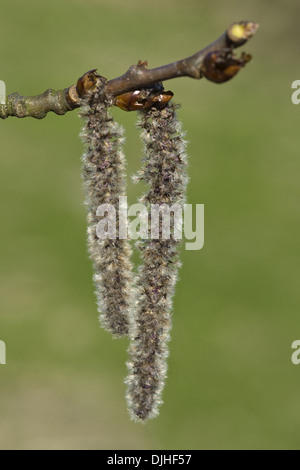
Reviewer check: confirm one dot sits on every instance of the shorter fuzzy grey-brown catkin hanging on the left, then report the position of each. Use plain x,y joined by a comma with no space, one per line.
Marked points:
104,176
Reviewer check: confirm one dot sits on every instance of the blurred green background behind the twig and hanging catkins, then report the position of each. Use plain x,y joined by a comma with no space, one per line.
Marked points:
231,383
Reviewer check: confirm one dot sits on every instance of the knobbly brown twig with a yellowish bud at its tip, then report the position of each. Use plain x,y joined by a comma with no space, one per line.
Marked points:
215,62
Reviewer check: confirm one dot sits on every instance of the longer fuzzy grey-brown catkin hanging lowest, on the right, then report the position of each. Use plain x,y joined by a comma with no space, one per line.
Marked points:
164,169
